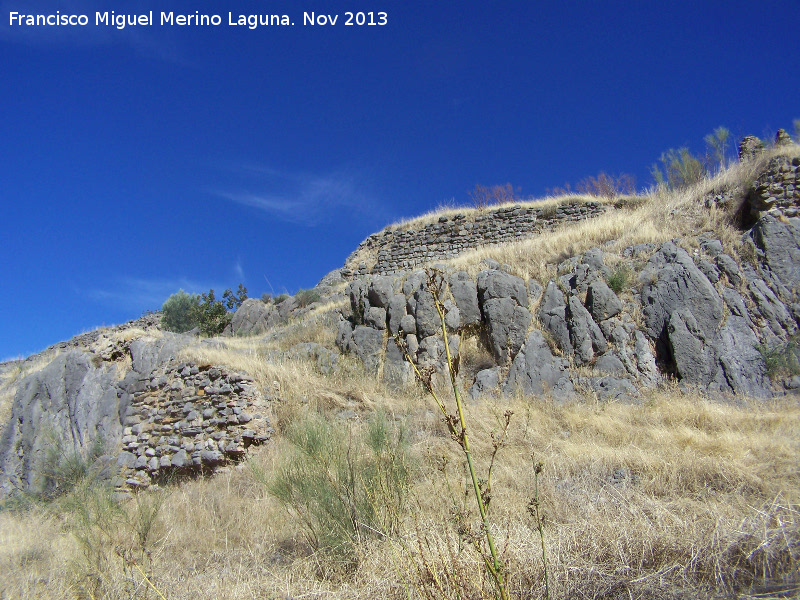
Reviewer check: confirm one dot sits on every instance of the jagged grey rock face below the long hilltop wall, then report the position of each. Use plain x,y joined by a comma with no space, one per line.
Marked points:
702,318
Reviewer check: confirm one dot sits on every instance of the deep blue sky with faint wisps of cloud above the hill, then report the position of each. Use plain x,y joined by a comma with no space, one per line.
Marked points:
137,161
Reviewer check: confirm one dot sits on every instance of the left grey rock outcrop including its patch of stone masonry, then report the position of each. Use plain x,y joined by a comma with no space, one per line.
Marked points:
161,418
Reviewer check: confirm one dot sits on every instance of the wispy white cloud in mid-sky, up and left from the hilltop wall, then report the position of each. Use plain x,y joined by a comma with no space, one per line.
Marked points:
304,198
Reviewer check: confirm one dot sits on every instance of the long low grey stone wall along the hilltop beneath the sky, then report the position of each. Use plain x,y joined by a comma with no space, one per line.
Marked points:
394,250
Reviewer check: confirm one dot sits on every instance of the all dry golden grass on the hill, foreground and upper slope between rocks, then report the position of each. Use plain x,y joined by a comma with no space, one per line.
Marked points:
677,496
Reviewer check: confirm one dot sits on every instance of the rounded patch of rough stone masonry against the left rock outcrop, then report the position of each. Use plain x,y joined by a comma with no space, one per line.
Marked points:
190,419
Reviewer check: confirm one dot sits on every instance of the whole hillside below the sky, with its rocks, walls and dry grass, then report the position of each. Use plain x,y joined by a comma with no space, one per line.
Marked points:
647,344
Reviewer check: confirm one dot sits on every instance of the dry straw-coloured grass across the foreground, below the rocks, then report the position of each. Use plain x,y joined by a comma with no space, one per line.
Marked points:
707,504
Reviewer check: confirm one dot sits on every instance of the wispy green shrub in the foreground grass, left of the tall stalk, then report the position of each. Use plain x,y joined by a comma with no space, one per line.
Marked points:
341,485
